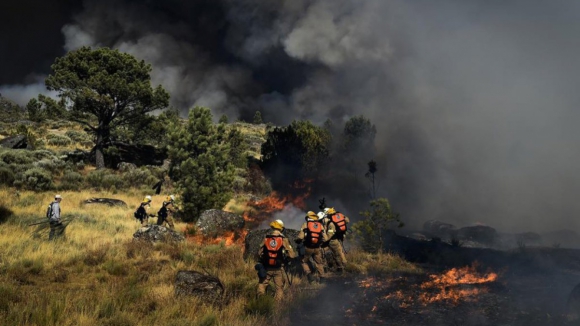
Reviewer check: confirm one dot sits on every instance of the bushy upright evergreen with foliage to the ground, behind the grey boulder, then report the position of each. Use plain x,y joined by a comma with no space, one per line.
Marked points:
201,163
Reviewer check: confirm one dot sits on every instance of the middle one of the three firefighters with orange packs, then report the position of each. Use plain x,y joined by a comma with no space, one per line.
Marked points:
312,235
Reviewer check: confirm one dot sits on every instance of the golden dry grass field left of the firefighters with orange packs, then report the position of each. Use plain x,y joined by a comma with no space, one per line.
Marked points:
96,275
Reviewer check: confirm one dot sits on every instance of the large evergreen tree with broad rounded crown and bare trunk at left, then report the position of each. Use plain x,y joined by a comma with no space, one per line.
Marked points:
105,89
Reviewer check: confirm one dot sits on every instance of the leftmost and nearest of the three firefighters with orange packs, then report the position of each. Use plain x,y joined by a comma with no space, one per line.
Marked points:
273,254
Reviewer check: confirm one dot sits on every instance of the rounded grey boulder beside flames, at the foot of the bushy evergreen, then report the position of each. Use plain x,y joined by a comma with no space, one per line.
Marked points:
215,222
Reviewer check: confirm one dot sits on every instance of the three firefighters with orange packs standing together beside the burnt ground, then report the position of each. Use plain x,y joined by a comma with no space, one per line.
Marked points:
320,231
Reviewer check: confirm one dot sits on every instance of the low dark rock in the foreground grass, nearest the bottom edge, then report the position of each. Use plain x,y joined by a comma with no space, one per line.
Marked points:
192,283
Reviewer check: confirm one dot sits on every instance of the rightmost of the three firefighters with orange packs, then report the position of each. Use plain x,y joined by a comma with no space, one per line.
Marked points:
336,225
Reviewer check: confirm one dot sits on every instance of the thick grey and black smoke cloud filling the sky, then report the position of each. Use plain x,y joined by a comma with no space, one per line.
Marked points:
475,102
